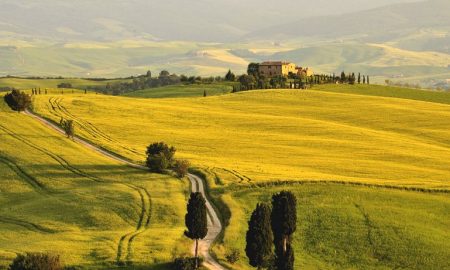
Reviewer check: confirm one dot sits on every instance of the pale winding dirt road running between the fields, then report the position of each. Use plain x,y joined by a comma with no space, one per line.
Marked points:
197,184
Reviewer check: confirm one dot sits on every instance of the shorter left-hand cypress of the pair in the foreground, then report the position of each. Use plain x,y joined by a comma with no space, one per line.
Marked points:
259,237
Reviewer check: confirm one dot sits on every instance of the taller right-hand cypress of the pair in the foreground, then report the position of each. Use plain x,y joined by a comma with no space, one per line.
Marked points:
284,222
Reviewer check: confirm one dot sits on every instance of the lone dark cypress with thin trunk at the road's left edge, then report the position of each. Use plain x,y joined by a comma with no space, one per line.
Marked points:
196,220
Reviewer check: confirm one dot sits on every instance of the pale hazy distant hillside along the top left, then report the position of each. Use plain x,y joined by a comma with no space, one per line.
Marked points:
200,20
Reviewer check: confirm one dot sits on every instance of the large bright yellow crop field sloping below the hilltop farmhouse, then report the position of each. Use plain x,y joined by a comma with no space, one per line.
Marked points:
277,134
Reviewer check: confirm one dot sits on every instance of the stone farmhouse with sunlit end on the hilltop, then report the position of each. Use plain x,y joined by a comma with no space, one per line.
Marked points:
279,68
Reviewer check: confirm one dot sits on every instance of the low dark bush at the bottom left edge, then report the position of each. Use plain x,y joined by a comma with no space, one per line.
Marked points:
36,261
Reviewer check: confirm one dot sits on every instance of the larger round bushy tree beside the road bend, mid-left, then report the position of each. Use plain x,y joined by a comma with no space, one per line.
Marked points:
159,156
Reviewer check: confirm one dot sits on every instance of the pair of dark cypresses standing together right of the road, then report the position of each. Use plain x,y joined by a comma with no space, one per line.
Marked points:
270,233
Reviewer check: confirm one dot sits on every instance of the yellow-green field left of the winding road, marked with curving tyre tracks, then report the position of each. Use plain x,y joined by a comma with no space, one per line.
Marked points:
60,197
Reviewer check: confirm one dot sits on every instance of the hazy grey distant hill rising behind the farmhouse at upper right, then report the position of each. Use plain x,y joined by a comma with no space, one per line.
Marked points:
375,25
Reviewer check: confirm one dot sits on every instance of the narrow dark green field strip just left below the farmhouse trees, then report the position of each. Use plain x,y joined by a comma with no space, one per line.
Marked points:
195,90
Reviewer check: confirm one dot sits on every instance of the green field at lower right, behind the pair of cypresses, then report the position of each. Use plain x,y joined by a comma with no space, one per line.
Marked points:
345,227
